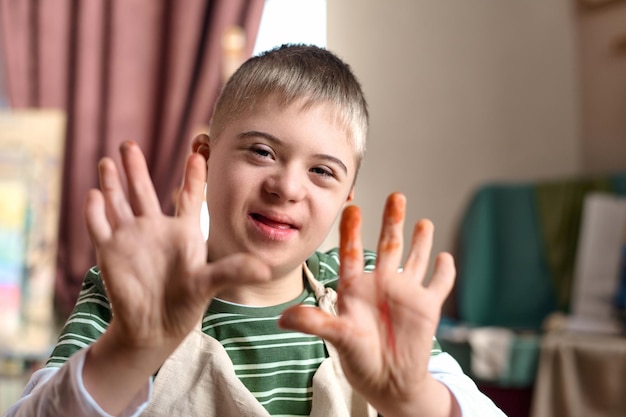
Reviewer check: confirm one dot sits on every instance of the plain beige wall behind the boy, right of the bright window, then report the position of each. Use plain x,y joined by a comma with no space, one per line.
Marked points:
460,93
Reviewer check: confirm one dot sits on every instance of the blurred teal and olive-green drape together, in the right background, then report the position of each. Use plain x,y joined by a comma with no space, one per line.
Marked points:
517,248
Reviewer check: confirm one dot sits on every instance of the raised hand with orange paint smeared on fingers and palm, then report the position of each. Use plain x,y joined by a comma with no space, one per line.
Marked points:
387,318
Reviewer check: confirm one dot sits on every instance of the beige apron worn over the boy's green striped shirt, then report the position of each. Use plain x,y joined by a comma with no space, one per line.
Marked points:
198,379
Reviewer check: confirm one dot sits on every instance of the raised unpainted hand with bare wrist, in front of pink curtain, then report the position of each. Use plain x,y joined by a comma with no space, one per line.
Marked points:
155,271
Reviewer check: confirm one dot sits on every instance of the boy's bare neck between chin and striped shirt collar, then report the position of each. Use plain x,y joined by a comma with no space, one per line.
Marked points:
279,290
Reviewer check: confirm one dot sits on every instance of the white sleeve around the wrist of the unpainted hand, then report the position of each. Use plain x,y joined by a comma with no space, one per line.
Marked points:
61,392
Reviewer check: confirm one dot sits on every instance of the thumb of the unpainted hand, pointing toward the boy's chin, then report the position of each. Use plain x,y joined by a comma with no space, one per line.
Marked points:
233,270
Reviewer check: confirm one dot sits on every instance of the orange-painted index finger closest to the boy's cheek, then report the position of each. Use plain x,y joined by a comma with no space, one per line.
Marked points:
350,248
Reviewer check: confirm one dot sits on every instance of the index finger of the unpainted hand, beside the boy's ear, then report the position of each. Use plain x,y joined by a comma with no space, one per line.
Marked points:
191,194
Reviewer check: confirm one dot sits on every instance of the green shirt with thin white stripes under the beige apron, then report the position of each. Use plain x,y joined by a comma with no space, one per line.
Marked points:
276,365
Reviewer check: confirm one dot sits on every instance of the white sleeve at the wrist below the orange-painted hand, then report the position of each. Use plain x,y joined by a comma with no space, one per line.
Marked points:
472,401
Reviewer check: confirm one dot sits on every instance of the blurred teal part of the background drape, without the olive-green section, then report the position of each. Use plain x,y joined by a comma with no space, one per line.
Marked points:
503,278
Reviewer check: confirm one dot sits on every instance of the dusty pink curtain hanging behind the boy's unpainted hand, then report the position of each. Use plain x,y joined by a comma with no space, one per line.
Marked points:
144,70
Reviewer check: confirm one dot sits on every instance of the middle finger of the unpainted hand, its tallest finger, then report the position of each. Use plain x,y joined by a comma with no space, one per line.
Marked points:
141,193
